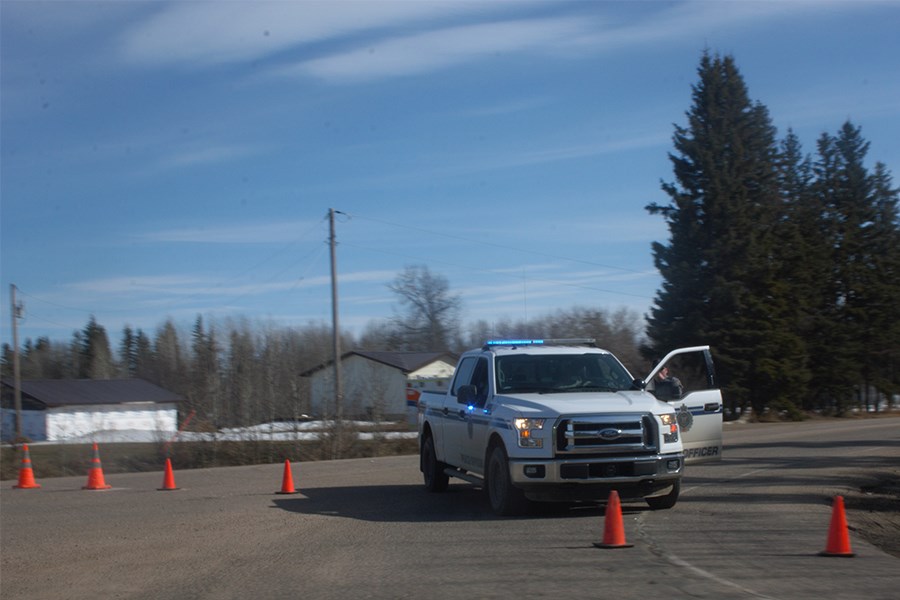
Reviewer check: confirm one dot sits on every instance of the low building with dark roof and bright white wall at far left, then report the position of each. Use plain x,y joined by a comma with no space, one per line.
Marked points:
61,409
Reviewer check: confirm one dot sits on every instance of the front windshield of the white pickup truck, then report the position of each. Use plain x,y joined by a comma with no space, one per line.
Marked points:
561,373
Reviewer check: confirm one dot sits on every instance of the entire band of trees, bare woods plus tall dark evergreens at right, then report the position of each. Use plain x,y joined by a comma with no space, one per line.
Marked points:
787,264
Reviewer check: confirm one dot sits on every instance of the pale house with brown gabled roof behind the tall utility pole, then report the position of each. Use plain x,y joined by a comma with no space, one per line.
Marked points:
375,384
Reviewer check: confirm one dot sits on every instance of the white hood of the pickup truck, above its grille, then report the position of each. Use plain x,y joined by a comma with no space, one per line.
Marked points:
557,405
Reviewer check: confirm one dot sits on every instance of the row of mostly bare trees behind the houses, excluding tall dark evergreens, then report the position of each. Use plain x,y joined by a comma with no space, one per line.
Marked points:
237,372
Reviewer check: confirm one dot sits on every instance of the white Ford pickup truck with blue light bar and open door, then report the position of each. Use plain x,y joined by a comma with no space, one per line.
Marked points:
564,421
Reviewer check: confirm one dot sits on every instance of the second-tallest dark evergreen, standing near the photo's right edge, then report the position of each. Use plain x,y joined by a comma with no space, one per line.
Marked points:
856,299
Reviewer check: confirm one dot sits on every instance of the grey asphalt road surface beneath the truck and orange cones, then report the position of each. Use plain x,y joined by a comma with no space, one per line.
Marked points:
750,526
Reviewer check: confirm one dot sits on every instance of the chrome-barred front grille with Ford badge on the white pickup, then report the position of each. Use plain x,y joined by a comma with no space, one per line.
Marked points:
606,434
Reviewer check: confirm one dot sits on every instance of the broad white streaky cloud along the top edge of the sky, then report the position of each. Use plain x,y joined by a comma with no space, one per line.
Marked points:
368,42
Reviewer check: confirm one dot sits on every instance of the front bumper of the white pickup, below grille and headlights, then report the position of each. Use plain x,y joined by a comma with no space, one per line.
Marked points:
592,478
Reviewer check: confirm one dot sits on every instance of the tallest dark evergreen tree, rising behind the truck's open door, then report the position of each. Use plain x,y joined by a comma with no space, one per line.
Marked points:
720,280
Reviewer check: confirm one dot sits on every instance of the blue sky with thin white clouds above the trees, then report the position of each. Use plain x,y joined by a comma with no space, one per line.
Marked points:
169,159
